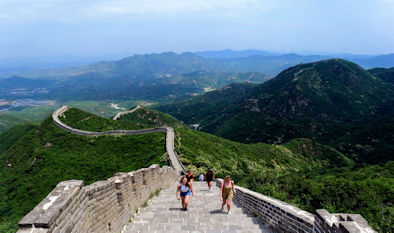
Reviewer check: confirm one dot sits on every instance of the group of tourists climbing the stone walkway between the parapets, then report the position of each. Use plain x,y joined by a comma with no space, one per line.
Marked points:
185,189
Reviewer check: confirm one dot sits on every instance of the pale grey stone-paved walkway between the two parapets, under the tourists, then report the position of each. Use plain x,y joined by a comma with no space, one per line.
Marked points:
163,214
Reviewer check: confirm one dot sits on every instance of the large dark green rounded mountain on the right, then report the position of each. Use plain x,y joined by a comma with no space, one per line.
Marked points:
334,101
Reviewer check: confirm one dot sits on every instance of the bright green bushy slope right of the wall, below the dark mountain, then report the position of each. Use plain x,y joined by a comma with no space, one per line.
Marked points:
301,172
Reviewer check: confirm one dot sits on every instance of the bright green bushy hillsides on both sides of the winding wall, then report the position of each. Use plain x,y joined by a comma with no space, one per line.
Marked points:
300,171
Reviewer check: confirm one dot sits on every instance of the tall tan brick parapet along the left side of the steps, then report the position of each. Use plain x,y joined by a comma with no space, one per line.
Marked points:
104,206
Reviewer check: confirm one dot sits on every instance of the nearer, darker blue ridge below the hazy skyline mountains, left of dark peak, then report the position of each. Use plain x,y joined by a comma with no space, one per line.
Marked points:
95,86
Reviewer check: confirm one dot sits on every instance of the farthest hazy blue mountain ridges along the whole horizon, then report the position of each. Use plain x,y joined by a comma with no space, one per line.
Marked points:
270,63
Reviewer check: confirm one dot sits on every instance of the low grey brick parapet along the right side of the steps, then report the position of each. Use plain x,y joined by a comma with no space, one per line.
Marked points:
280,216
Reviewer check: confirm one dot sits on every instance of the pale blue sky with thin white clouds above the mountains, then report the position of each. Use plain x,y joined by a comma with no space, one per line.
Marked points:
45,28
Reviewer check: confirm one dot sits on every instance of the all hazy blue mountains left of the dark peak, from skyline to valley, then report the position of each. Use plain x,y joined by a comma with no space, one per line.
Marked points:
150,76
